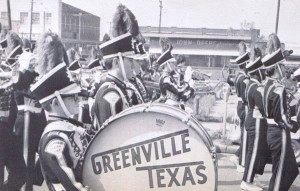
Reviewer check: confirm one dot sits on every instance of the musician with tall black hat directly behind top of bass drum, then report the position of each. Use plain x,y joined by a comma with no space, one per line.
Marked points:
112,96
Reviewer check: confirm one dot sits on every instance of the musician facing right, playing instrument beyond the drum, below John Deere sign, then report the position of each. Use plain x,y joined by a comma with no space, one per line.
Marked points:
172,92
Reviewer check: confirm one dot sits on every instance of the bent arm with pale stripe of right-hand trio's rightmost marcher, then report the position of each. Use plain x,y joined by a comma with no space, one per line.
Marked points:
281,111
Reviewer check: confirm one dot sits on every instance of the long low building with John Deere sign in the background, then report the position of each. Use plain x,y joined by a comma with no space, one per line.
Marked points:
201,46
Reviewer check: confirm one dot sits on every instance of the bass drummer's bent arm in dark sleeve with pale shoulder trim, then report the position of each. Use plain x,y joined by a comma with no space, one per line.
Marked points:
56,152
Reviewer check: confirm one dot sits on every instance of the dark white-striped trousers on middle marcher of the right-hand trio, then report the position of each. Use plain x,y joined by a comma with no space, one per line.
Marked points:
257,150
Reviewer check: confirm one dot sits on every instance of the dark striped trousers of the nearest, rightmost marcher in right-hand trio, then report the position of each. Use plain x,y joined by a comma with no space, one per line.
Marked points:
284,170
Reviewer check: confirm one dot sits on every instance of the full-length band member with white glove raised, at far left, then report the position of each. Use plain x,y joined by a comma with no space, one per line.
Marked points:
31,119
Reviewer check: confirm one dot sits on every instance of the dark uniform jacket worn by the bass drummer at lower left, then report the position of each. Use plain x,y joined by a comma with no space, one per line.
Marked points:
61,156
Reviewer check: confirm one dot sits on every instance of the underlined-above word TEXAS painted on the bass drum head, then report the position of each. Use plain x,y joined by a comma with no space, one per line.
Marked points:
162,176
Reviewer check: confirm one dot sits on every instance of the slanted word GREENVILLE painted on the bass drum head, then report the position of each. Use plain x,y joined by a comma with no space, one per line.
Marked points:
145,151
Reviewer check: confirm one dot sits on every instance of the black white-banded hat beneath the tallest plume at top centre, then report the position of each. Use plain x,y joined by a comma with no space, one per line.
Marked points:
122,44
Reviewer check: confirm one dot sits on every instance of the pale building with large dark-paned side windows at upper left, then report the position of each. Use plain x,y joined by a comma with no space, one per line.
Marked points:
73,25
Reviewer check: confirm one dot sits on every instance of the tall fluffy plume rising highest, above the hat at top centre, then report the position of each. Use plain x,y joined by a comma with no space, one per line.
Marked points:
124,21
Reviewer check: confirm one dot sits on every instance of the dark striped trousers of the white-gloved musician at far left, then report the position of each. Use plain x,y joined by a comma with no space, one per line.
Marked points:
36,127
